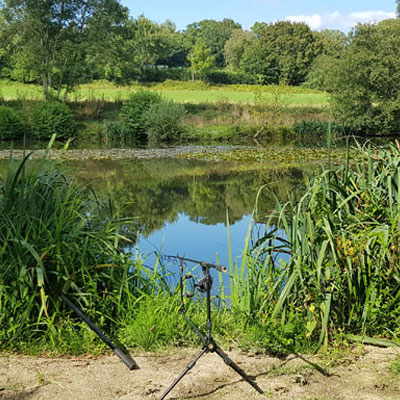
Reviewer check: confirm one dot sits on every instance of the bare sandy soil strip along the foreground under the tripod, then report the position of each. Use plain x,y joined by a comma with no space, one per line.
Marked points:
358,375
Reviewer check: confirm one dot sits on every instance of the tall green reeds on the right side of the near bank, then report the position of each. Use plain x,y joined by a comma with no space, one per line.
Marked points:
333,255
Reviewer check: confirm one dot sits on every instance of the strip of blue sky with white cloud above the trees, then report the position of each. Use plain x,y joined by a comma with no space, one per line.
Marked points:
319,14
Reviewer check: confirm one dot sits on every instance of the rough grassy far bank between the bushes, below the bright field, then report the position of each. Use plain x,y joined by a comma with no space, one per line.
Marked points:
205,122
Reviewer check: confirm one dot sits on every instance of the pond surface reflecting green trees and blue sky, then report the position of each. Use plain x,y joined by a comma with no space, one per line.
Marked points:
183,206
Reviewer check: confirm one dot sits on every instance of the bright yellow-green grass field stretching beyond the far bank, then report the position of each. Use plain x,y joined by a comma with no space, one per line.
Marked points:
202,94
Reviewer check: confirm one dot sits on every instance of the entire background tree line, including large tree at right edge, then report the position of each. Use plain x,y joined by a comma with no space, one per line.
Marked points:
62,43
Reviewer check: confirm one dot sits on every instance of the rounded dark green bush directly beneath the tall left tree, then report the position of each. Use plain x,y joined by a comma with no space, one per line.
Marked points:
53,118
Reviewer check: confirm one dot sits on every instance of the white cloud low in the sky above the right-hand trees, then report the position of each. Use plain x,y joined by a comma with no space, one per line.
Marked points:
336,20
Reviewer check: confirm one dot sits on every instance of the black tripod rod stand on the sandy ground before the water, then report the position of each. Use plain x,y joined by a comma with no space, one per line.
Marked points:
209,345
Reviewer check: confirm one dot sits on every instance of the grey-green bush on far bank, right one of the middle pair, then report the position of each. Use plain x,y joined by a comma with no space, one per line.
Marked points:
163,121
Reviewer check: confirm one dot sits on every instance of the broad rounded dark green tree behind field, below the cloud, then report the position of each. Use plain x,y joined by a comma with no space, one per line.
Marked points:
282,50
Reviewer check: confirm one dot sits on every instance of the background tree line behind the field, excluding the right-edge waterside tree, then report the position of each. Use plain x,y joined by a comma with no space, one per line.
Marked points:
62,43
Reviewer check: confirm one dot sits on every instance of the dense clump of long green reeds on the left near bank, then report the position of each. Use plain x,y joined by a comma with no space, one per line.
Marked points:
53,231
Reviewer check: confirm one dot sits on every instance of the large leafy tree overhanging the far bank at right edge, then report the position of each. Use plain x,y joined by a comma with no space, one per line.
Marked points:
366,95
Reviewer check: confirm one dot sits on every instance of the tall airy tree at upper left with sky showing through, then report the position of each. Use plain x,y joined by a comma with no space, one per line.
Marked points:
51,37
